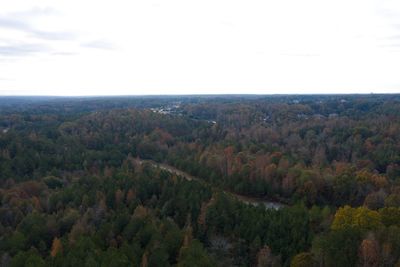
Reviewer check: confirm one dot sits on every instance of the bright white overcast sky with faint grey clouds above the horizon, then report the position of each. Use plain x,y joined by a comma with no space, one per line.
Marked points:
99,47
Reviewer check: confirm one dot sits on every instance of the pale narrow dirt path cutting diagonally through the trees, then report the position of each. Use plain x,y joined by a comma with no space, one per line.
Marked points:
244,199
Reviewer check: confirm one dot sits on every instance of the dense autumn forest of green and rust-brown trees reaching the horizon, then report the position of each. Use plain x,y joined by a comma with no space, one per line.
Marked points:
81,182
